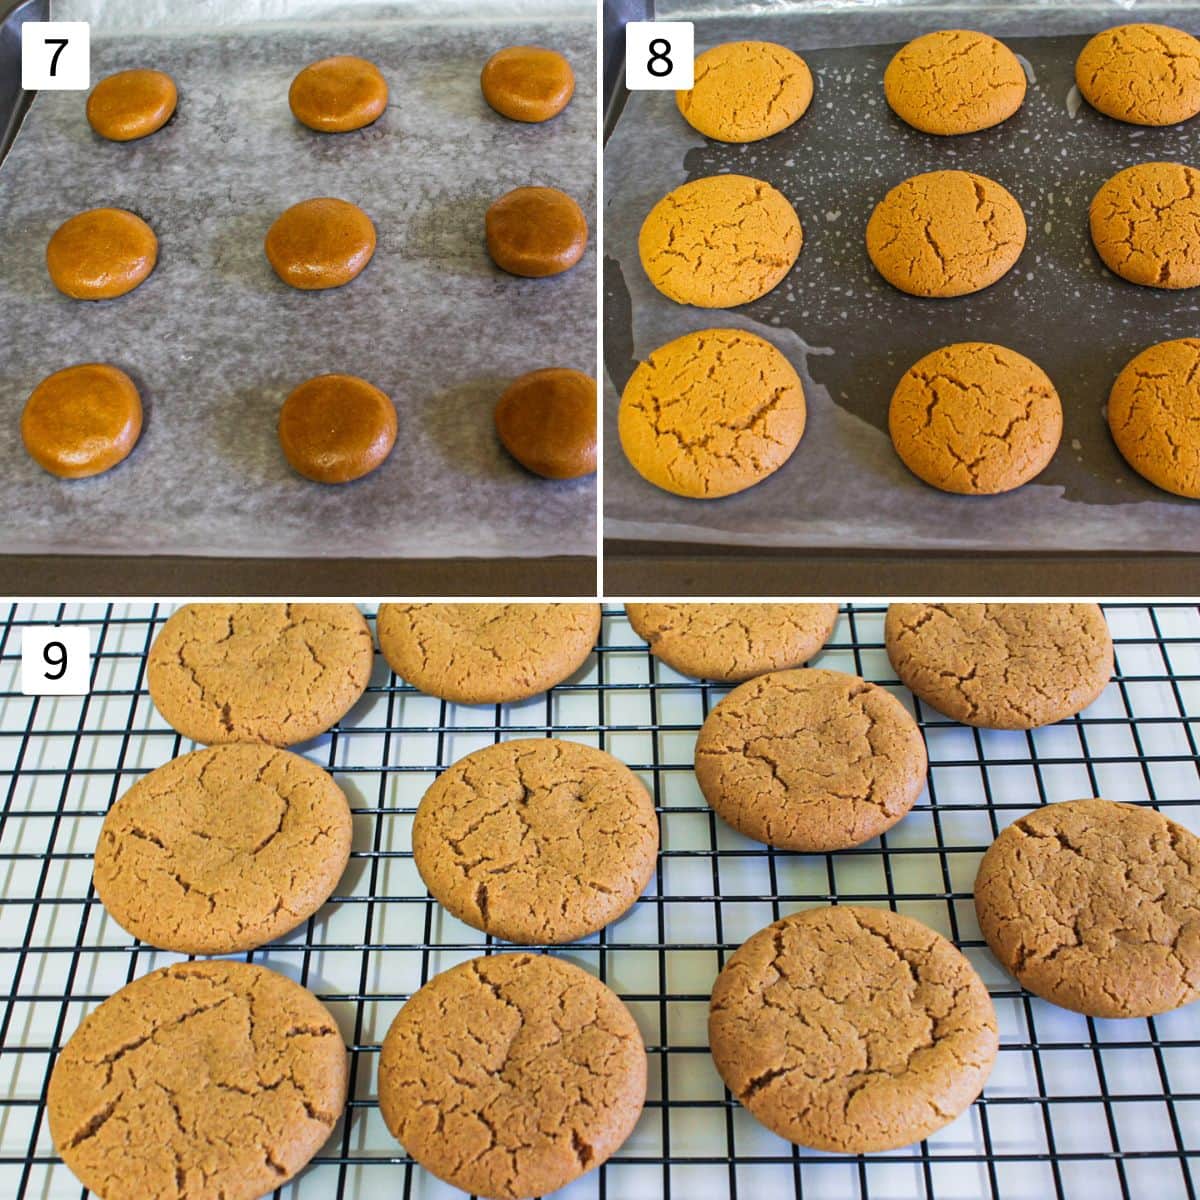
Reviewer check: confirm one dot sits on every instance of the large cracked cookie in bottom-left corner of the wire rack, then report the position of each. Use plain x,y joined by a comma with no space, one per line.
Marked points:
202,1079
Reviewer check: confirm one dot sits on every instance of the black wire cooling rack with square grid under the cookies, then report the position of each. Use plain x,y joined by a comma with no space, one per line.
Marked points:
1075,1108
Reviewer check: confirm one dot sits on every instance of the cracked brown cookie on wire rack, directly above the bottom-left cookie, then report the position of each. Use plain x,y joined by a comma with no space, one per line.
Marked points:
223,850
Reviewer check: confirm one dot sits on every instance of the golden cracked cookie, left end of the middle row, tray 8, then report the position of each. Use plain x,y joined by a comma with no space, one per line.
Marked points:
719,242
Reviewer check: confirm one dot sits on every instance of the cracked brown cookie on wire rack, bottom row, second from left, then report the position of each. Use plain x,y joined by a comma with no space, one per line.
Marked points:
512,1076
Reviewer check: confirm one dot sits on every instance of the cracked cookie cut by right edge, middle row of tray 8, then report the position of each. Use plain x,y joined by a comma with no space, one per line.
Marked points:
1144,225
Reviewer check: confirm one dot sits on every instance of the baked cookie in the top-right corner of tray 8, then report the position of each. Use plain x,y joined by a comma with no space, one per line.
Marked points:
1145,75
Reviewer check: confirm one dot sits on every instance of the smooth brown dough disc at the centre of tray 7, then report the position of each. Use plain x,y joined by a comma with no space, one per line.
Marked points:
319,244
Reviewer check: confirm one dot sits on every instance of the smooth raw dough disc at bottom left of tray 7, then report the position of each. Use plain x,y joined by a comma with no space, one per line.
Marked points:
82,421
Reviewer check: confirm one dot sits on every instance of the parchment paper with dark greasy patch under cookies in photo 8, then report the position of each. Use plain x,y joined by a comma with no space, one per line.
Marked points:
851,335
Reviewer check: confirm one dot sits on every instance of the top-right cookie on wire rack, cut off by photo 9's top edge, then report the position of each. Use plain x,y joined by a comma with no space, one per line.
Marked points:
1001,667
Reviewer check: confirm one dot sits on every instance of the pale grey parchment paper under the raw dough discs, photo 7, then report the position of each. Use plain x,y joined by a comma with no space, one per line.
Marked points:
215,341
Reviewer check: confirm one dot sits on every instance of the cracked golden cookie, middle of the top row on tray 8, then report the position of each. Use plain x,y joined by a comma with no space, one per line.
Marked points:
955,81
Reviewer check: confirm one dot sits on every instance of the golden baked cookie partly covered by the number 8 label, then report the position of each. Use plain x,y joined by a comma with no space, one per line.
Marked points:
745,92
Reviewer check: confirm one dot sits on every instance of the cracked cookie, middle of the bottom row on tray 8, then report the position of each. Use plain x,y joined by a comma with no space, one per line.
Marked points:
975,418
